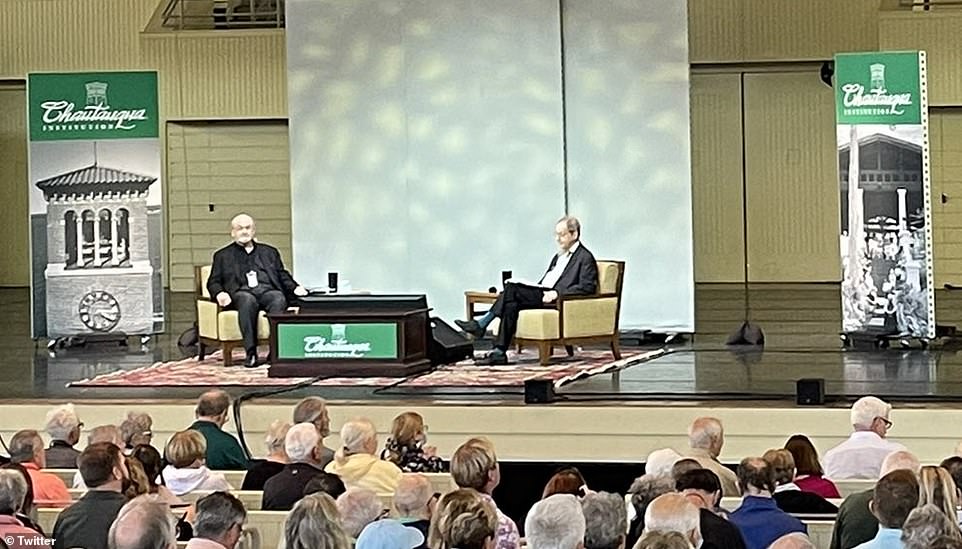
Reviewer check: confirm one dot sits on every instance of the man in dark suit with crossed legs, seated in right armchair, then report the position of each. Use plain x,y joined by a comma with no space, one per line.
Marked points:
572,271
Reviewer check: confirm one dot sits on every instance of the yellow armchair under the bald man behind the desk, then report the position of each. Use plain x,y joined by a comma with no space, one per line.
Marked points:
218,327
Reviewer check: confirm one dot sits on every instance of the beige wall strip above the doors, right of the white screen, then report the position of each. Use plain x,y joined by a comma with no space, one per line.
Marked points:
783,30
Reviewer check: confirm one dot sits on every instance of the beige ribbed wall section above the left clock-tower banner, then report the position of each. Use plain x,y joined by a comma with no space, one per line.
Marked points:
58,35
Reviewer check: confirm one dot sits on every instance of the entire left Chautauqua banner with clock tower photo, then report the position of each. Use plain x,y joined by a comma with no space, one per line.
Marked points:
95,204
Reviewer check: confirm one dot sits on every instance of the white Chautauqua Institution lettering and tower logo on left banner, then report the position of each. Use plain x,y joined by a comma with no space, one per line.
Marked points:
96,114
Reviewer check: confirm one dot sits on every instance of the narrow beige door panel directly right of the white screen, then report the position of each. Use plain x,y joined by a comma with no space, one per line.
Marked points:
717,177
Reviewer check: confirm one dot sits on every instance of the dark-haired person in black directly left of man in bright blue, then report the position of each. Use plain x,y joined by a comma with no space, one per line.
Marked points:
703,490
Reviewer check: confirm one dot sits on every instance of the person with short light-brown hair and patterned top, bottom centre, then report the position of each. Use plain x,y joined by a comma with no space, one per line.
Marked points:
475,465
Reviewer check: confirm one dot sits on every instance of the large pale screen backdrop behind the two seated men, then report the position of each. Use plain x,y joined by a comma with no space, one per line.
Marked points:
427,146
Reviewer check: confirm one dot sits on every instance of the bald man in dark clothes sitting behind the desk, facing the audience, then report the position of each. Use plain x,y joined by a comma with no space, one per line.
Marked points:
249,276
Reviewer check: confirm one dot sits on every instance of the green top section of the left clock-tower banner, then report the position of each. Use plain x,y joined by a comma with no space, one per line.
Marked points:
92,105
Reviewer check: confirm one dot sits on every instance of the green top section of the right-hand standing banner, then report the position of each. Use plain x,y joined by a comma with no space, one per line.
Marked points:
878,88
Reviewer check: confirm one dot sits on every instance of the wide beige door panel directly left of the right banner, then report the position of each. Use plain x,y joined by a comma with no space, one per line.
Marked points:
791,179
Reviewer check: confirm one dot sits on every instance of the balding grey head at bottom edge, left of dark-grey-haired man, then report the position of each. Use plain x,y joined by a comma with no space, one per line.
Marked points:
143,523
